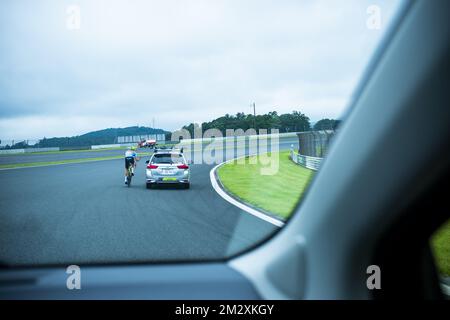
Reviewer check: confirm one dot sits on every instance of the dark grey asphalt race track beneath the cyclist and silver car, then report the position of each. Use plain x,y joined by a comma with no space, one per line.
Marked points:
84,214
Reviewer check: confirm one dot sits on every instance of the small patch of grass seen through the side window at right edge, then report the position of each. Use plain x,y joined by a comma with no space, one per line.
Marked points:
440,244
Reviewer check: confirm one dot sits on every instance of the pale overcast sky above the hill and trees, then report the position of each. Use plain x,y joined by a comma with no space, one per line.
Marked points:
177,61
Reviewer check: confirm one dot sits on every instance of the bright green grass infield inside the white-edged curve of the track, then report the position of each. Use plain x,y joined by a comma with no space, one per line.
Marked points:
277,194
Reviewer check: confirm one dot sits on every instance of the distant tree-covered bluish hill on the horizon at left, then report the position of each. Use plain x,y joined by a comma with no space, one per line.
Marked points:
105,136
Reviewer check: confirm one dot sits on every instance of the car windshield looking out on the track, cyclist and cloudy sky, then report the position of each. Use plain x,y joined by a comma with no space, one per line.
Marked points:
252,93
